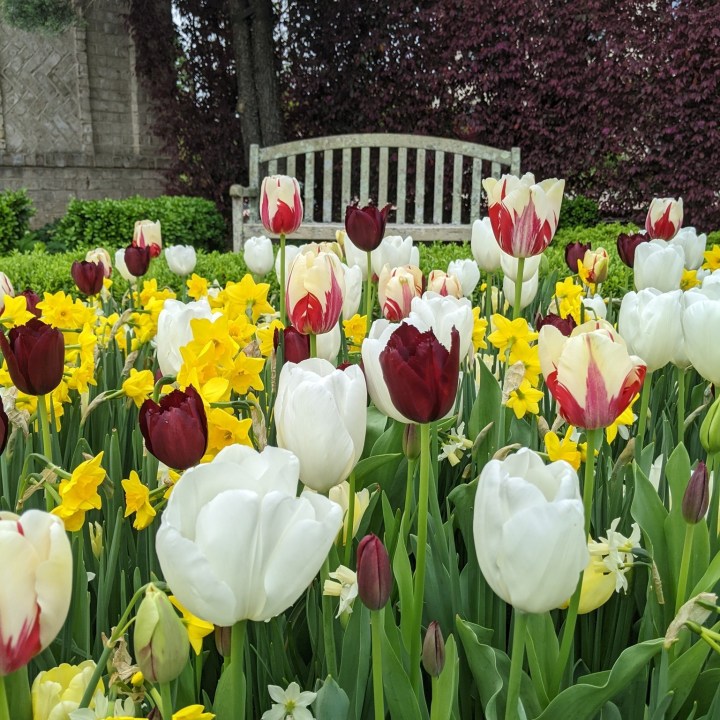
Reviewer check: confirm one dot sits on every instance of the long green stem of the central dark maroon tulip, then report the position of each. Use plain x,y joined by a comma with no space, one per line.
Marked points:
419,589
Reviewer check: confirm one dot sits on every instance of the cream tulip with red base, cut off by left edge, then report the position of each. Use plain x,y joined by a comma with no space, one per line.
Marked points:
35,585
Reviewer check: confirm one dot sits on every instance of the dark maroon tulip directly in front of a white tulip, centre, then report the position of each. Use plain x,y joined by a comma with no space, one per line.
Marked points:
420,374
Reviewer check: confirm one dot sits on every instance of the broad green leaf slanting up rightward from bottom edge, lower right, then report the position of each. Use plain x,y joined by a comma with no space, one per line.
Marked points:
583,700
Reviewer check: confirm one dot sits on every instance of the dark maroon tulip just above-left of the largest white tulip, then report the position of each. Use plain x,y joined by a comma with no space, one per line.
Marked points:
175,431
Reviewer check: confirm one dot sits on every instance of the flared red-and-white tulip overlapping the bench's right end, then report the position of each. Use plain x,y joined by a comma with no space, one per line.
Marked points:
524,214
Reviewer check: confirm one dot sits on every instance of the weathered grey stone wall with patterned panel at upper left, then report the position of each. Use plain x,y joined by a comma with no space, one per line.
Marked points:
74,120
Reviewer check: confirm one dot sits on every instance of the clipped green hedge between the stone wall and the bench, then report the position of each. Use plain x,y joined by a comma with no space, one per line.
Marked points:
109,223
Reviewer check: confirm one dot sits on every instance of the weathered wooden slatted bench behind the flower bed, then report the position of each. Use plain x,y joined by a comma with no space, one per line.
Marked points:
433,183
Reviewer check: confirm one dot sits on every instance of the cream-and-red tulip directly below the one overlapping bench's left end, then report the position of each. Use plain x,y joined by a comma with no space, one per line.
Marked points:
315,290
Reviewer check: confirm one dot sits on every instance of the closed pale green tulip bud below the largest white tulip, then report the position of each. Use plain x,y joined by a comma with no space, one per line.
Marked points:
161,640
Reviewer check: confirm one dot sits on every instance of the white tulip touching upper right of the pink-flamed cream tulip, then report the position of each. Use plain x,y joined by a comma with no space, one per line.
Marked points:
650,323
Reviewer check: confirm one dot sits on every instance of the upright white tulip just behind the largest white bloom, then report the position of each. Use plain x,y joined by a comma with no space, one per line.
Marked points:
320,415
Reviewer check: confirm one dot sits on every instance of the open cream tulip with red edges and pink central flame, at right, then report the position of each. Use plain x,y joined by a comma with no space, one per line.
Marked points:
590,374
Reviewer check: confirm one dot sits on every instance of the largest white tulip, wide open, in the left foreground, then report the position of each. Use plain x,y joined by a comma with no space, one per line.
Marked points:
236,543
